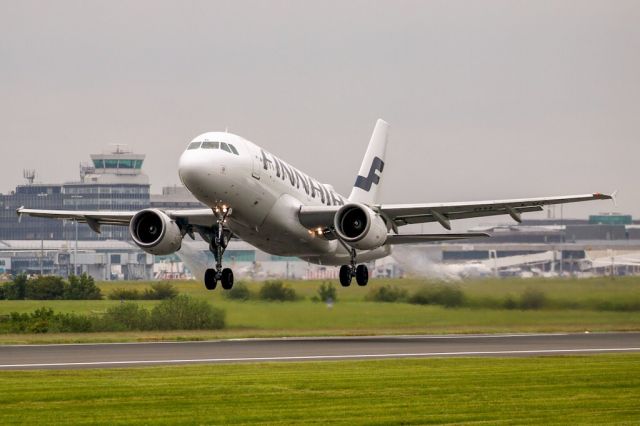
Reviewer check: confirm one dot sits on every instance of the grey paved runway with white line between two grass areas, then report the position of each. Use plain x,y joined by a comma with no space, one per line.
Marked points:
20,357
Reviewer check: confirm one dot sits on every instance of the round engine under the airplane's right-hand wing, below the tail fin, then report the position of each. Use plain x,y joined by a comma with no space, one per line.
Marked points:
360,227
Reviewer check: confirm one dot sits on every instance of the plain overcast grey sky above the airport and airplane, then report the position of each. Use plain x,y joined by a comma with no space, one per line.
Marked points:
486,99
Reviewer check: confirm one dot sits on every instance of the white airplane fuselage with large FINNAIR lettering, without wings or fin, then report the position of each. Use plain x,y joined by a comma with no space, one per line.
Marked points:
265,195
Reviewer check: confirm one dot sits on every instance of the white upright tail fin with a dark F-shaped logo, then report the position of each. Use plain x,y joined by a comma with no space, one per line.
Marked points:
365,189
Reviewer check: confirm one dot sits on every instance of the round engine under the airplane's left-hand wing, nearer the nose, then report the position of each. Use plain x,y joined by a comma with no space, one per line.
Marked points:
155,232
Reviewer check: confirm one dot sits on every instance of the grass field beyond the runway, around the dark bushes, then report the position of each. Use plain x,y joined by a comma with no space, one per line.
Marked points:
351,315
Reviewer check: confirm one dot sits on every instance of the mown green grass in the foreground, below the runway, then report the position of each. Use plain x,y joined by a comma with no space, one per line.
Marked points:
601,389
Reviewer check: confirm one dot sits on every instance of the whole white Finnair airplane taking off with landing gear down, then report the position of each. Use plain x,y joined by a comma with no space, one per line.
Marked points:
254,195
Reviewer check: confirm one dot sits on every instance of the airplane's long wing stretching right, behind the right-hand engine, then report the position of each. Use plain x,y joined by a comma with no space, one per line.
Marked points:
404,214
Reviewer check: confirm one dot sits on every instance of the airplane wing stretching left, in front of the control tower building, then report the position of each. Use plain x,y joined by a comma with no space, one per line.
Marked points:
95,218
